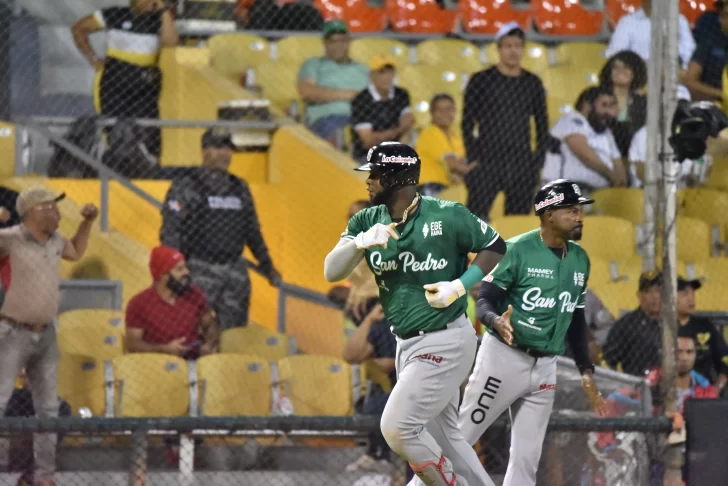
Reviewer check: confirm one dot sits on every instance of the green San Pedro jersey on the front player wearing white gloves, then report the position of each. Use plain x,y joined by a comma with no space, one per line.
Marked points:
433,246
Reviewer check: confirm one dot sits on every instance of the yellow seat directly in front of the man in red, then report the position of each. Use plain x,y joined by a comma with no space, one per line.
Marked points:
150,385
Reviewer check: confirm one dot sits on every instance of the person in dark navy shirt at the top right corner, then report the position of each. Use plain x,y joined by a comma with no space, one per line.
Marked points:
704,75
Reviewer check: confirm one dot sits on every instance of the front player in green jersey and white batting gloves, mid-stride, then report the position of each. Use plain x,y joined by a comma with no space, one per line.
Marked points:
417,248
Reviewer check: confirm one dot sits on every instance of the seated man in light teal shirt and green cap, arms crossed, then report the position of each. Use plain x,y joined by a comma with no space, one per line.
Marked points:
328,83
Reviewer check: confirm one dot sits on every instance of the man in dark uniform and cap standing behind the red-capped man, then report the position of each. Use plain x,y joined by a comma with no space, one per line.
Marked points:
209,216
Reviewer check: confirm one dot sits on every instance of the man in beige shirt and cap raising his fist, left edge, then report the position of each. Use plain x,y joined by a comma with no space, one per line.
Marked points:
27,335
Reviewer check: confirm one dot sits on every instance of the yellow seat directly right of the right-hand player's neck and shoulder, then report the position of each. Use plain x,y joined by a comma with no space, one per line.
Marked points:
608,237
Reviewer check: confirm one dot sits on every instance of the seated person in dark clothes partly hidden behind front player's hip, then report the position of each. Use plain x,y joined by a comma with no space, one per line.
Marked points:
373,340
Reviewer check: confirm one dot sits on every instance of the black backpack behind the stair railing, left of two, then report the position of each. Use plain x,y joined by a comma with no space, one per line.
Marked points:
85,134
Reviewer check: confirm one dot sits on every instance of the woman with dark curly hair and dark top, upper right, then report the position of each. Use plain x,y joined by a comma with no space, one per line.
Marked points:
625,76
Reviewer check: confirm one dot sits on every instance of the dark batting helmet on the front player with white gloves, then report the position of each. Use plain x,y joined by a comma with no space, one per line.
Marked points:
394,164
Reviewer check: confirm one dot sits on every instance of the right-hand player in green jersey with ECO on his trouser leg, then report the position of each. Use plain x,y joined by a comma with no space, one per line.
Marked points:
530,303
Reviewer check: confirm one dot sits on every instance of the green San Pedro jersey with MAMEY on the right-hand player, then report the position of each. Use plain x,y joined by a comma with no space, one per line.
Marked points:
543,289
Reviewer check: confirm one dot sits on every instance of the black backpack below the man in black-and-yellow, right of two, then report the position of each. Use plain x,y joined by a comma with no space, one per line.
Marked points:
127,152
